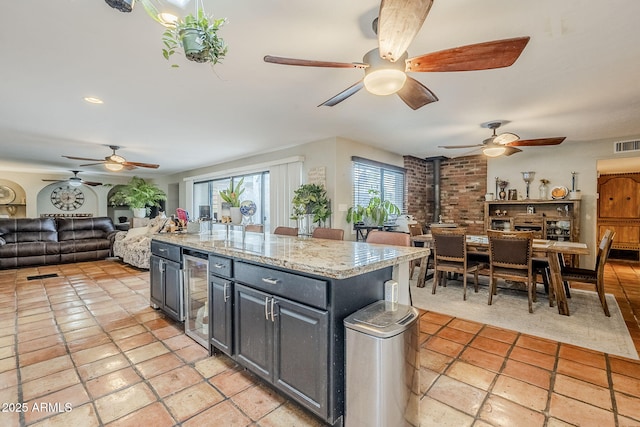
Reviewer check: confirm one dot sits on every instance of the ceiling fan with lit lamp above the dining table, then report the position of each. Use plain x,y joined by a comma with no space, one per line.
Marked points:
506,143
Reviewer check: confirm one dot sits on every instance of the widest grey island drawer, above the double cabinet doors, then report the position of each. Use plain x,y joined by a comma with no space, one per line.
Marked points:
298,288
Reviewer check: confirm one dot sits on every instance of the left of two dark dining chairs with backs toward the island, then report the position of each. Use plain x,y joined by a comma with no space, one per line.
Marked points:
450,256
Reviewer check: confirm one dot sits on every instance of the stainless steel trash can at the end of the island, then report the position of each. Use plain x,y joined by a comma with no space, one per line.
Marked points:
382,366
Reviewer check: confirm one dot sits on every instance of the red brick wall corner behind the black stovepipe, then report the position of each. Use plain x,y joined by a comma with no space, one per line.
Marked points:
462,188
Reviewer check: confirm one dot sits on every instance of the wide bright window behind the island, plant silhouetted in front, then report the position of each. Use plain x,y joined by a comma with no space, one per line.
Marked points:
208,203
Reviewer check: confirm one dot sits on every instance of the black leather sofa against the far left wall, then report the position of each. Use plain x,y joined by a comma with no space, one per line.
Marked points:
42,241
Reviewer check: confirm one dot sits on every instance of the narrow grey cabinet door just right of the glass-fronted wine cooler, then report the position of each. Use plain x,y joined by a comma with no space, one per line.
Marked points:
221,313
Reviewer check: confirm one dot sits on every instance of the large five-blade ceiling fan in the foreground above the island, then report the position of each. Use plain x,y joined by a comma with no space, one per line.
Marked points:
386,68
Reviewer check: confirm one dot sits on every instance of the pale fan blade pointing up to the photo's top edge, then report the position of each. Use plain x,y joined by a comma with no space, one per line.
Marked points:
398,24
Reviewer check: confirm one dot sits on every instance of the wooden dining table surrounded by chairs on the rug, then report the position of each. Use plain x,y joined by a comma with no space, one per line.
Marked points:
553,250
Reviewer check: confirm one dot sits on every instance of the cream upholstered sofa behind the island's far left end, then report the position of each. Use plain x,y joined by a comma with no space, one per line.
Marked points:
134,246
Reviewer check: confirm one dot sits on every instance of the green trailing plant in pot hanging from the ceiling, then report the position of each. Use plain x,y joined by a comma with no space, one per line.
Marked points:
198,36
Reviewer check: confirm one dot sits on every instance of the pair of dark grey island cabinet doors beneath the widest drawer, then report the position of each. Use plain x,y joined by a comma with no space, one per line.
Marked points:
285,343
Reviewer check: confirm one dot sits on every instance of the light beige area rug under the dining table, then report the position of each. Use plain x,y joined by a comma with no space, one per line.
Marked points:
586,327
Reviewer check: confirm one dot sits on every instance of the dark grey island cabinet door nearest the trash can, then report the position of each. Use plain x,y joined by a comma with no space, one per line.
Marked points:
302,353
